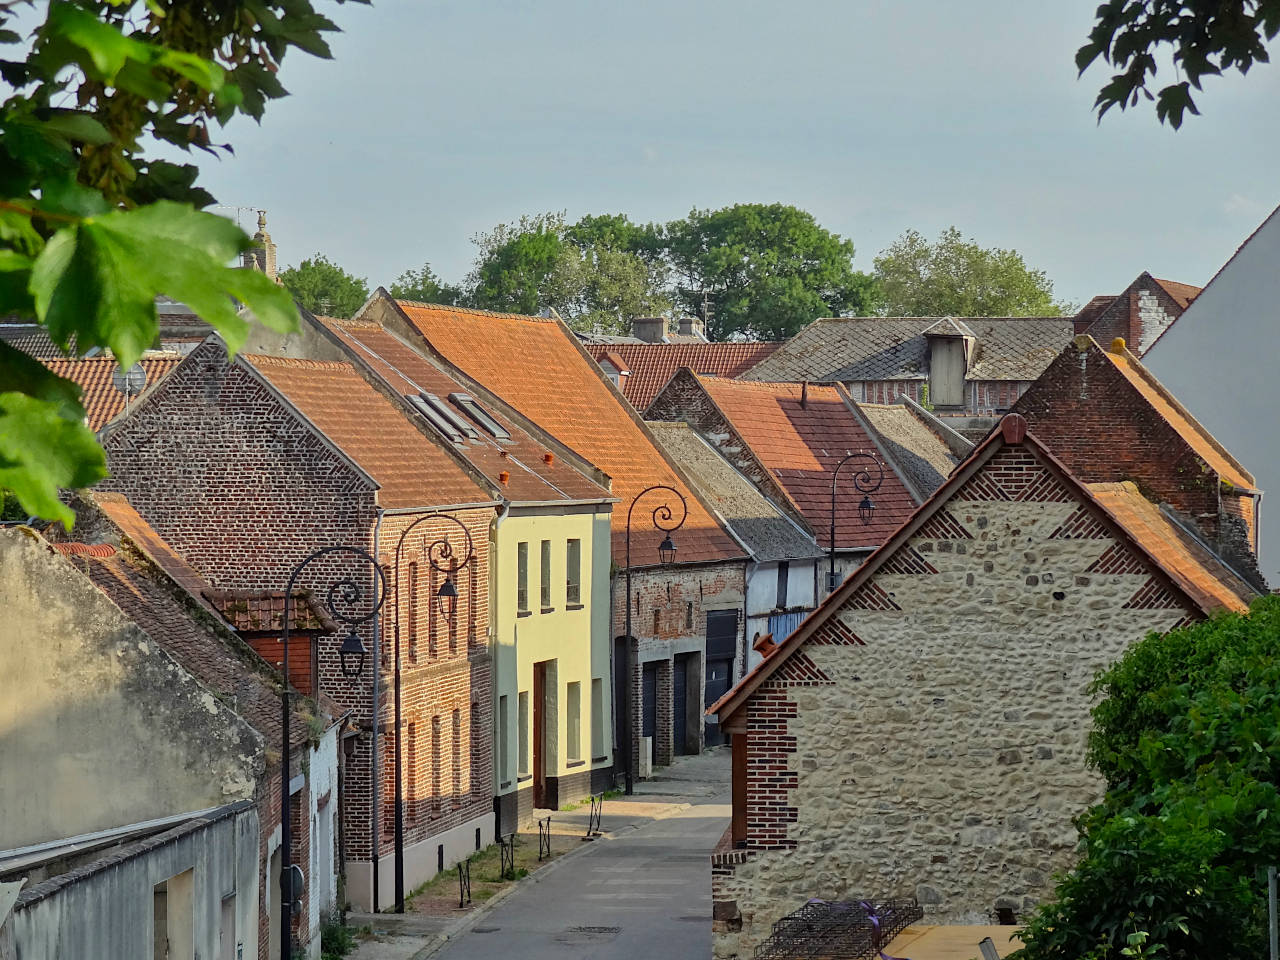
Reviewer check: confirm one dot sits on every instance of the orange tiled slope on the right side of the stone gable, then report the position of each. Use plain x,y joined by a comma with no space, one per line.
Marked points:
1199,572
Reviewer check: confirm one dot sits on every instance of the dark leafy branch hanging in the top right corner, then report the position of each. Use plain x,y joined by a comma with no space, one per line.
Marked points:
1205,38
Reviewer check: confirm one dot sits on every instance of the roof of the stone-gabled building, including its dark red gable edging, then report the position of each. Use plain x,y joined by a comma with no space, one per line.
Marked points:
1205,582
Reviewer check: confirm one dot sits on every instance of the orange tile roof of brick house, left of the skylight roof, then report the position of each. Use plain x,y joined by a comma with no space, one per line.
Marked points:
410,469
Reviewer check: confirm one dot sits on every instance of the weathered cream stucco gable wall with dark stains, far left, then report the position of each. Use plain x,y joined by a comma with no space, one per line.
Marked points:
99,726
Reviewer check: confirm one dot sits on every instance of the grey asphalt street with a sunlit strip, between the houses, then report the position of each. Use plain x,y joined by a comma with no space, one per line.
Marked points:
646,880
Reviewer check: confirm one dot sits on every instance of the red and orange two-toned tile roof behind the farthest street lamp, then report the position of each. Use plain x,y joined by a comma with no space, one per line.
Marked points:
801,445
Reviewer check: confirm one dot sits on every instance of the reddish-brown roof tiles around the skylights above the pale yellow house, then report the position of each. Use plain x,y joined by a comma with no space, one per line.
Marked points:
524,458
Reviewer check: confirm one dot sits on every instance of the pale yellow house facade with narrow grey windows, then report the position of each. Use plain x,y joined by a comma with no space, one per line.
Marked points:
574,641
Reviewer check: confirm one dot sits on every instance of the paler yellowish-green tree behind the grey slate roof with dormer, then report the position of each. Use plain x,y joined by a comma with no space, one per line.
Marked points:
956,277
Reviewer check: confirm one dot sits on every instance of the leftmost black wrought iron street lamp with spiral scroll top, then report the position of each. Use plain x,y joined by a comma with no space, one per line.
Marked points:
344,598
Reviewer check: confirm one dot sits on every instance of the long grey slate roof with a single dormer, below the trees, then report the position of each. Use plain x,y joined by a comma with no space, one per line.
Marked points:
895,349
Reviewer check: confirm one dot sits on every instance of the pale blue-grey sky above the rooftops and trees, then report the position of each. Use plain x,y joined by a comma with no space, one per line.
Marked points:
438,120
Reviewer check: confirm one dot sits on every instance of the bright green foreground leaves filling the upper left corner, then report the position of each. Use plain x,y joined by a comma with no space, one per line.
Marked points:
92,227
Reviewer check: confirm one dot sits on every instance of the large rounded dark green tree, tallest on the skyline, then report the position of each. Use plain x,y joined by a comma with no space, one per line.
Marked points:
769,271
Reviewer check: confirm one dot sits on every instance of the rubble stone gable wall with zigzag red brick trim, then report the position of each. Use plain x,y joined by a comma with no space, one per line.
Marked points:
930,739
